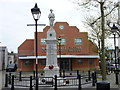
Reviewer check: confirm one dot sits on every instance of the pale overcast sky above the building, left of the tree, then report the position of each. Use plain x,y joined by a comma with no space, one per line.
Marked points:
16,14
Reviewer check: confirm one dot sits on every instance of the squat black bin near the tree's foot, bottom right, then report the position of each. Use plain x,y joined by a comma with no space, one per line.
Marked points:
103,86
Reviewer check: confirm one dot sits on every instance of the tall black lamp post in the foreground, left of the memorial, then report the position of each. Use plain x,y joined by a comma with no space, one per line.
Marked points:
36,15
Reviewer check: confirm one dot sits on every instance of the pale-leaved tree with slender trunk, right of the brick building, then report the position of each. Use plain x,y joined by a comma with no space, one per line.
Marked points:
97,23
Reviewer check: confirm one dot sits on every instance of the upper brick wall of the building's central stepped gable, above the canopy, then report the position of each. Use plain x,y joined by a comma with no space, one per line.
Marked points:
69,33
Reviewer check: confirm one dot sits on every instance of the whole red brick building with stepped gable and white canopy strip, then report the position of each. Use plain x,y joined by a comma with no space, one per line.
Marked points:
75,51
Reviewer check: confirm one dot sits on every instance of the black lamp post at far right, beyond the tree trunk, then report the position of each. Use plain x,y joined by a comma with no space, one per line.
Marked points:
114,29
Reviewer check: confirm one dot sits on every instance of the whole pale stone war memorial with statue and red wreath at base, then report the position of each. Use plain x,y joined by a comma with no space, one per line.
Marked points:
51,68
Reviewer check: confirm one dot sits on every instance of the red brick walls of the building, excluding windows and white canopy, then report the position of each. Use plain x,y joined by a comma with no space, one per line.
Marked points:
69,33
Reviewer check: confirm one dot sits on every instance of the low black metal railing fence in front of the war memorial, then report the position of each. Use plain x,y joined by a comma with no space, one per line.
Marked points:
78,80
